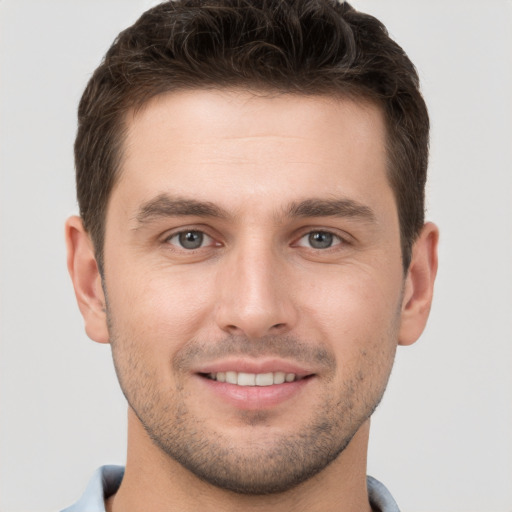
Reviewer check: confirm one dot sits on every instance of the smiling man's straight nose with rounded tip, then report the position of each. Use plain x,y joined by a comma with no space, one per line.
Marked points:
255,294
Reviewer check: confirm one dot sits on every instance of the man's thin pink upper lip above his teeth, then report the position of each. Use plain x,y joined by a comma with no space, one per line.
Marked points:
254,366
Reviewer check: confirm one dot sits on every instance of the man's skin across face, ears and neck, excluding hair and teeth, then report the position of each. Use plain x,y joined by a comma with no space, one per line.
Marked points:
257,175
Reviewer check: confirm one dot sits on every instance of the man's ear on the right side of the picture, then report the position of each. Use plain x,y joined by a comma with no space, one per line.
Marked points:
419,285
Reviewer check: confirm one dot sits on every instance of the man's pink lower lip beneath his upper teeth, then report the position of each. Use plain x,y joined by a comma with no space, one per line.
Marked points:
256,397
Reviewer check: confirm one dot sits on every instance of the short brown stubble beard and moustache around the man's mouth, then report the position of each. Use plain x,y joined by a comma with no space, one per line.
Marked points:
275,464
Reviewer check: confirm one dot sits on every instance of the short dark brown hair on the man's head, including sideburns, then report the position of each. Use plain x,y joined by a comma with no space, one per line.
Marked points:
286,46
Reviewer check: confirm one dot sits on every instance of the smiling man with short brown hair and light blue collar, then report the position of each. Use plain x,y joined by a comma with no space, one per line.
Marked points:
251,242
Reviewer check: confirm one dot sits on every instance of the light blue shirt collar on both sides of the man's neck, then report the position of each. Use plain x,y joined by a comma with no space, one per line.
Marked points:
107,479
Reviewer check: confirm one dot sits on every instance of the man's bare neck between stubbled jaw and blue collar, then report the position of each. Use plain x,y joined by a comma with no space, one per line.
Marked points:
154,481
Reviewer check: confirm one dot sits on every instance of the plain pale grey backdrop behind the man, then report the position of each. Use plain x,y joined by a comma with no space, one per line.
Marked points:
442,438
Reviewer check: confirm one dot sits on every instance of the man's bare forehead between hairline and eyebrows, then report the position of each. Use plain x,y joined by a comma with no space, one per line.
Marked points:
233,146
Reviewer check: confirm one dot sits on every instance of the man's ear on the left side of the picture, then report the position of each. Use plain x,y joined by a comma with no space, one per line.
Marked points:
86,278
